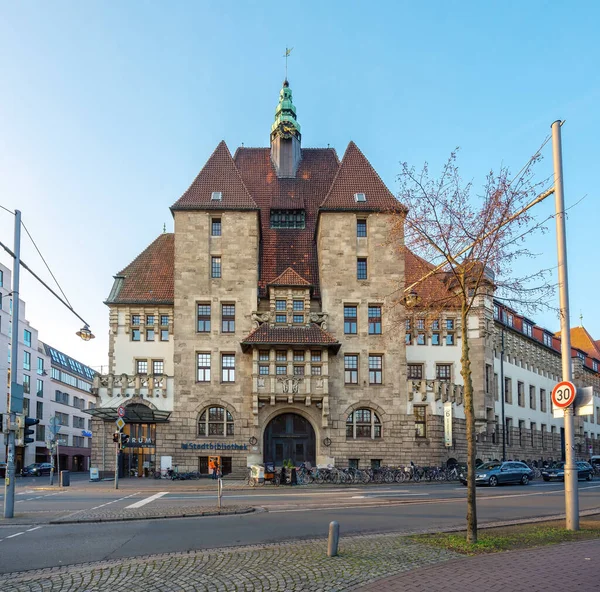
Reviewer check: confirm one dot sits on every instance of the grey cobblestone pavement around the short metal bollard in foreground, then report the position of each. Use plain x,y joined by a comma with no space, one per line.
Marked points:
286,567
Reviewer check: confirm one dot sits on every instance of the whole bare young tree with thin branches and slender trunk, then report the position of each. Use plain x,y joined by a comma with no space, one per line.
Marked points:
462,246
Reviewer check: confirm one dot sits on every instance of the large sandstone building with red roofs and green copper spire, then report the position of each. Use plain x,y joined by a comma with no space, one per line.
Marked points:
268,327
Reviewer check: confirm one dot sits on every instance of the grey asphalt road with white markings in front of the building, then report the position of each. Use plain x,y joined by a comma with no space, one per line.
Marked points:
284,514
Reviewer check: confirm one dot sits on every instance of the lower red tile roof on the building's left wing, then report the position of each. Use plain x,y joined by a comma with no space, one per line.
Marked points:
148,279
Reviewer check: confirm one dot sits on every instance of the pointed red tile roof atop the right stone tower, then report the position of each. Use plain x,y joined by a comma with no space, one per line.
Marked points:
356,175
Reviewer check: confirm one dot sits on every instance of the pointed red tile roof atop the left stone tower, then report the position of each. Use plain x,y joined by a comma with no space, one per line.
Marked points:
218,174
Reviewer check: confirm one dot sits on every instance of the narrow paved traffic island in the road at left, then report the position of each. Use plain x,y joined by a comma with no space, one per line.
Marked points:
148,512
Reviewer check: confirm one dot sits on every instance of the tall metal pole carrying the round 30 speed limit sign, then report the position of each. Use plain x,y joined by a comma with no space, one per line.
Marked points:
571,486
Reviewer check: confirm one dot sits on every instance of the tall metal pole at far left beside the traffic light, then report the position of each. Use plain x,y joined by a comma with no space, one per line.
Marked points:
13,406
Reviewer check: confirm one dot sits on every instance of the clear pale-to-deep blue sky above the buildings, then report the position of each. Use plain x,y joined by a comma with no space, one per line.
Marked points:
109,110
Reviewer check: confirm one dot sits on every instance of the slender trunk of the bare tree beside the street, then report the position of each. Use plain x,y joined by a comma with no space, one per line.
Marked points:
470,421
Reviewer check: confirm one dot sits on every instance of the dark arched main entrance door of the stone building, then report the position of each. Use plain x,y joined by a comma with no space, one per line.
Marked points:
289,436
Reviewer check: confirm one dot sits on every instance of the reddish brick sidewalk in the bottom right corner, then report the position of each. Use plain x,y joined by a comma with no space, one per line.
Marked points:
568,567
